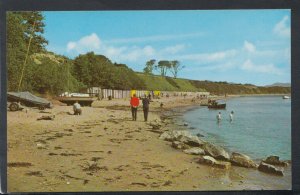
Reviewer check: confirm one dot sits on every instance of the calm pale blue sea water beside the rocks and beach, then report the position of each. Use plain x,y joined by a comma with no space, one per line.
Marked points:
261,126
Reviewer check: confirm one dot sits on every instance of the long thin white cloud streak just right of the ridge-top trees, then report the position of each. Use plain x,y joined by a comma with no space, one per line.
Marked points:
202,58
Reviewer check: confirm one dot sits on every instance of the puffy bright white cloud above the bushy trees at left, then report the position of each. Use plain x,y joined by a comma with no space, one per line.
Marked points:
85,44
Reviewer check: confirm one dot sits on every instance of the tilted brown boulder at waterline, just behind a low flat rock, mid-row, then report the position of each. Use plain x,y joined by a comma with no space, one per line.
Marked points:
216,151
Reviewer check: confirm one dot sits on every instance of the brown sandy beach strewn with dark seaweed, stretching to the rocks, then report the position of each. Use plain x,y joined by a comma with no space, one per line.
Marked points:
104,150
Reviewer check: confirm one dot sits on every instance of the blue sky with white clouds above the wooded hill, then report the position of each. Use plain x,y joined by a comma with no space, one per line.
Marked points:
240,46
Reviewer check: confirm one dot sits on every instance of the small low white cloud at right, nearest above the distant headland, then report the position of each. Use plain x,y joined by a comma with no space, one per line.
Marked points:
266,68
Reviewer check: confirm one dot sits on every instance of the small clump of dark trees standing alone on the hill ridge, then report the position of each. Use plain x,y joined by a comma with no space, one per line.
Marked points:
163,67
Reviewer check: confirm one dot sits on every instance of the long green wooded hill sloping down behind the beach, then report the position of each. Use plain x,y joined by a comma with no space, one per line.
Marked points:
40,71
